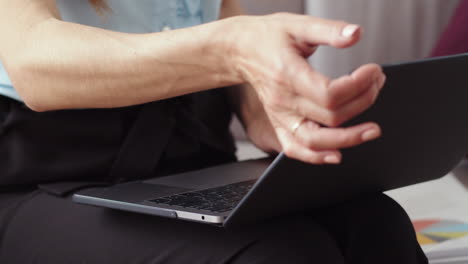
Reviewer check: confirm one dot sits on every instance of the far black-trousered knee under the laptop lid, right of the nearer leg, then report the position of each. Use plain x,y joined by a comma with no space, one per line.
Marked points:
373,229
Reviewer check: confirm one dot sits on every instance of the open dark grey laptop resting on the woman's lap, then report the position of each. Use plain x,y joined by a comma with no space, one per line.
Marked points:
423,112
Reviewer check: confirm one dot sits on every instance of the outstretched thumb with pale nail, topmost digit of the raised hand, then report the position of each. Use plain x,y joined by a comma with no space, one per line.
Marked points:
320,31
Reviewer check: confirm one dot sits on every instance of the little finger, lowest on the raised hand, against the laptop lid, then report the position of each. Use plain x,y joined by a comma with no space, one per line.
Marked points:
293,149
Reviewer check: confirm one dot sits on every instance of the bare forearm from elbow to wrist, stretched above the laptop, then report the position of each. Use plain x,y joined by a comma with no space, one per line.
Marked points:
61,65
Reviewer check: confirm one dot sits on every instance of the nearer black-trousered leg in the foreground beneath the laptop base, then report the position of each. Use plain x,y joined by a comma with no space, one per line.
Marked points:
49,229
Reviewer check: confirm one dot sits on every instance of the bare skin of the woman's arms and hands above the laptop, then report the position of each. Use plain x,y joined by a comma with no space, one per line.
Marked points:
263,57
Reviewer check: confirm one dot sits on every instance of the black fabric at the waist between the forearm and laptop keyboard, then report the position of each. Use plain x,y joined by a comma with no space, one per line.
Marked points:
67,150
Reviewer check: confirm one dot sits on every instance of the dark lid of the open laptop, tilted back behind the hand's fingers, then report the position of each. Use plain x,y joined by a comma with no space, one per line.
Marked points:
423,112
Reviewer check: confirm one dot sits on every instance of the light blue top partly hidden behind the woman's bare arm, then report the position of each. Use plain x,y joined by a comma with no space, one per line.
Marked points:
142,16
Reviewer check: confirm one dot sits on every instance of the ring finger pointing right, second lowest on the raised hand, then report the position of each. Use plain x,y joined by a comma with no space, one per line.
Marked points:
323,138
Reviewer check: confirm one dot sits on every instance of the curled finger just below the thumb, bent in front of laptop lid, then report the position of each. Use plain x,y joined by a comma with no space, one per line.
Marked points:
349,87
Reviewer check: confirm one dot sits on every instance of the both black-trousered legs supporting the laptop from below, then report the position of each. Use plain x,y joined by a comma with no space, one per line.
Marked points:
42,228
